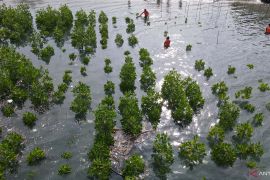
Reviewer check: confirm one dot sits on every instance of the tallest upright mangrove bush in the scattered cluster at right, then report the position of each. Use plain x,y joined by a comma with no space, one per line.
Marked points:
228,114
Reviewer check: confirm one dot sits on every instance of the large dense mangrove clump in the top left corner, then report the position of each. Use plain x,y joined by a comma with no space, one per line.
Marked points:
16,24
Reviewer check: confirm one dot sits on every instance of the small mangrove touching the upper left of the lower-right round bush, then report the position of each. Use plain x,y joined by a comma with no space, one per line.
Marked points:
215,136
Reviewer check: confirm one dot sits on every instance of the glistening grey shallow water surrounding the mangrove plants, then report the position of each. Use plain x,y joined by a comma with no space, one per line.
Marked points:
221,33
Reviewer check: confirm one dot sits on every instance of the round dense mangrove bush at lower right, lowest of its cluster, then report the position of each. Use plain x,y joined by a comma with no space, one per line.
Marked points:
222,150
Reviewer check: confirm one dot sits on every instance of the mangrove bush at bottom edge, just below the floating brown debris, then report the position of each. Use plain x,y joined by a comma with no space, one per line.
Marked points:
134,166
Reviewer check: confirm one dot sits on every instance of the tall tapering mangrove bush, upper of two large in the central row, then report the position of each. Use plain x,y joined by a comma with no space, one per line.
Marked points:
128,76
